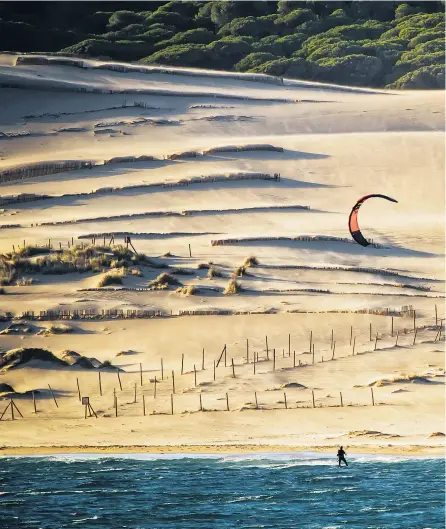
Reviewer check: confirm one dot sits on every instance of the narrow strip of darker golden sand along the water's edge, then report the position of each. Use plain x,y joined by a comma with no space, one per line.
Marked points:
397,450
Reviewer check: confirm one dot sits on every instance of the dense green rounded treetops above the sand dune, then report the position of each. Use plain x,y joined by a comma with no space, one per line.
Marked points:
391,44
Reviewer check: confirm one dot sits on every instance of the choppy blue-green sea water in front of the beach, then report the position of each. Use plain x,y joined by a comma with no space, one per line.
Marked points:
274,491
